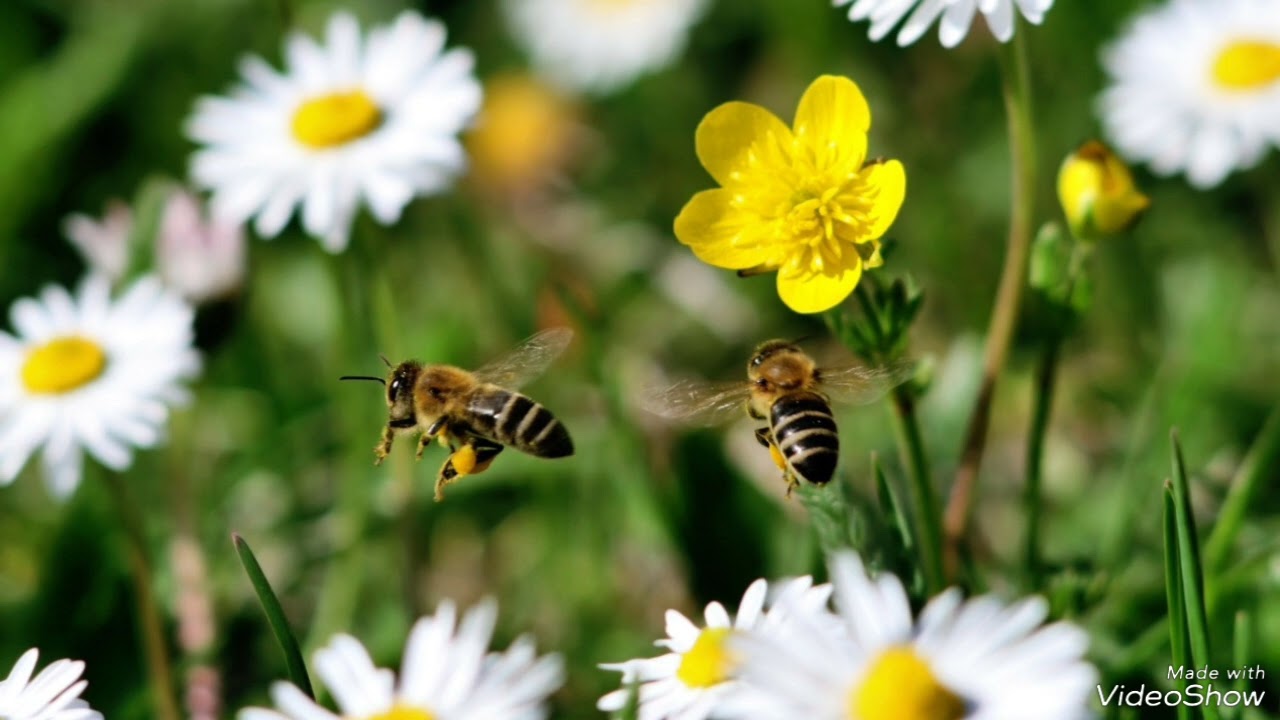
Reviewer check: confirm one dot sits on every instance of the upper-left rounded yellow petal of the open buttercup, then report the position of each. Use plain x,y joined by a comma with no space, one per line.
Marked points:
740,138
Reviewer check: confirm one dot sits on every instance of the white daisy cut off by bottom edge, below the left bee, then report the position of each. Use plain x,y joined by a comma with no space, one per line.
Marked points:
446,676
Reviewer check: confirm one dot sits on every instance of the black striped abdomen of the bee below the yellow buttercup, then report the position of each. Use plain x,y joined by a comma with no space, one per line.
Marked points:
804,431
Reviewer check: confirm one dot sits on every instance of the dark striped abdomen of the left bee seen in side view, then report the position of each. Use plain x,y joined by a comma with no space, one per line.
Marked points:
514,420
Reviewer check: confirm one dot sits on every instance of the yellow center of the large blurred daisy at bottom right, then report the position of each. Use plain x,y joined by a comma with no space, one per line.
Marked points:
902,687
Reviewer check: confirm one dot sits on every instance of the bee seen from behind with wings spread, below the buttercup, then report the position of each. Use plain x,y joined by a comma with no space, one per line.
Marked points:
794,395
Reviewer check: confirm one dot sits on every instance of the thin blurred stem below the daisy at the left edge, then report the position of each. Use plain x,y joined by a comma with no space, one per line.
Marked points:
159,666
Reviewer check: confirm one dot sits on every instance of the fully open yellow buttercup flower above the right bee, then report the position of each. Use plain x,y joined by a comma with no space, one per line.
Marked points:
799,200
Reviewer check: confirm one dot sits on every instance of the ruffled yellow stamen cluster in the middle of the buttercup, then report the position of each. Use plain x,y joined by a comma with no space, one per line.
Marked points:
819,225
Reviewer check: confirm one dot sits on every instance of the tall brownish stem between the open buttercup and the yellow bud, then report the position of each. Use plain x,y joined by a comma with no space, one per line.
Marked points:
1017,92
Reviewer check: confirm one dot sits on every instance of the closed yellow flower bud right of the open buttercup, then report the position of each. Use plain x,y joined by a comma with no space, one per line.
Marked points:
1098,193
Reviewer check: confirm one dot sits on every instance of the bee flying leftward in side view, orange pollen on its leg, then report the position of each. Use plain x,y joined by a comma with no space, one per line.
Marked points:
474,414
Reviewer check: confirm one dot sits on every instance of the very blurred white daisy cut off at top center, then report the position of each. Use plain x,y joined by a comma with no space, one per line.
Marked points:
601,45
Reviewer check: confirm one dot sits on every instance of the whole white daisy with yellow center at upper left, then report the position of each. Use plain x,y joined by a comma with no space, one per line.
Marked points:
359,119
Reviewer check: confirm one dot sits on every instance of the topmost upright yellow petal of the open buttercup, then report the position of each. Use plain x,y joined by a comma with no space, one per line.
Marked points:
833,122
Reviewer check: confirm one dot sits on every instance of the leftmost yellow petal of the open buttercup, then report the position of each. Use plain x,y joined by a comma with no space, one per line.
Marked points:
720,234
